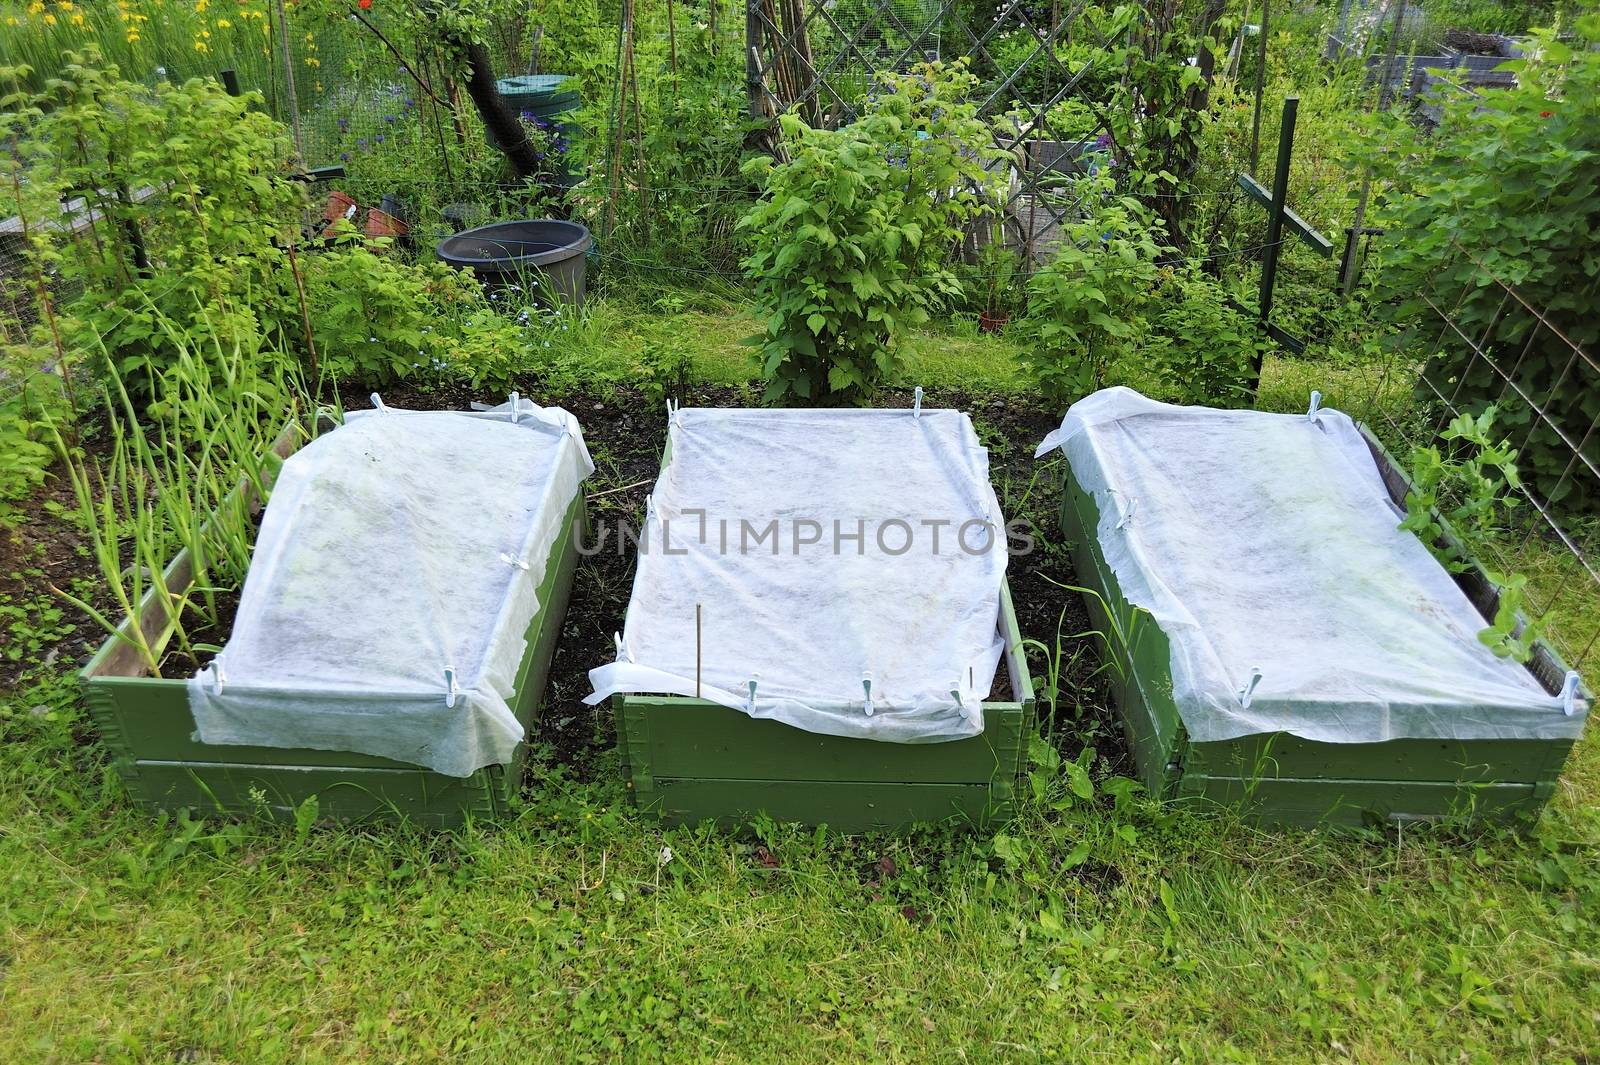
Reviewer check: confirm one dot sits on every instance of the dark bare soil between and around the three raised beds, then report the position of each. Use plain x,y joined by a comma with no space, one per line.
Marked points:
625,433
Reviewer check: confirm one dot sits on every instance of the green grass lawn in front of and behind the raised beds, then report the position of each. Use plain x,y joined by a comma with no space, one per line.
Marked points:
1087,930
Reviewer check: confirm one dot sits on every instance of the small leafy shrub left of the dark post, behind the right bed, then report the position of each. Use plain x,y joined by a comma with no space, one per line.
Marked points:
1086,309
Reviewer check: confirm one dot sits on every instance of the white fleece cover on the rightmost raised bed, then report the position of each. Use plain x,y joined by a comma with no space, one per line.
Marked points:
1268,543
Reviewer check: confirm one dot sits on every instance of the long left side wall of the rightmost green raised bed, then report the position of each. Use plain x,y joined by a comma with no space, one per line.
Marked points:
1142,680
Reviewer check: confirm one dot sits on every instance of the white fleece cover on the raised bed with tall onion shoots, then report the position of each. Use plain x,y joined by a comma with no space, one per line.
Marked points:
393,586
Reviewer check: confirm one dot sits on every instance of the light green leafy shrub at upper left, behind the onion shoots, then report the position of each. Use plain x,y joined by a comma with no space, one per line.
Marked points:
193,202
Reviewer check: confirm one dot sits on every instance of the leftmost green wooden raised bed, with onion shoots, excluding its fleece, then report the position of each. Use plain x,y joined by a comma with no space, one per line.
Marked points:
150,733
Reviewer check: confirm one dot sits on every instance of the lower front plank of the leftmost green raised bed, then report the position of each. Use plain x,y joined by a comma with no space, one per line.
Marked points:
351,794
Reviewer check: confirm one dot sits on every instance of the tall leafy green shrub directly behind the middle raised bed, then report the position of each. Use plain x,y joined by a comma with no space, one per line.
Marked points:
852,241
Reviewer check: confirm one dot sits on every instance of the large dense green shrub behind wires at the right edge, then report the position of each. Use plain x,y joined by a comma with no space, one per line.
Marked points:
1513,183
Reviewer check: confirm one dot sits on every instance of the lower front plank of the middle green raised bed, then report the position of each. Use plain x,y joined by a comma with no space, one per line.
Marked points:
846,807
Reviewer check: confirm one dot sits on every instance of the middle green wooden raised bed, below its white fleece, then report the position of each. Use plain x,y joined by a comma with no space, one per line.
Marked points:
690,760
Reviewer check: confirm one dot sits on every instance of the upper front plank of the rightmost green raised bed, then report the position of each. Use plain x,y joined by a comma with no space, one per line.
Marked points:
1442,760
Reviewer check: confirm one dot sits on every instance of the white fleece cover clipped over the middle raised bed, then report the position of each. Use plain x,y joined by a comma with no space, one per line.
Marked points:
850,570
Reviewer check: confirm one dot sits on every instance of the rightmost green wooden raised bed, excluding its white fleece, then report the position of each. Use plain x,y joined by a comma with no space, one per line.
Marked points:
1279,778
